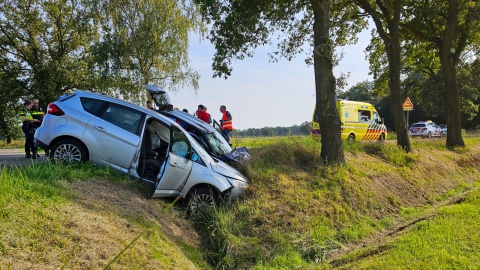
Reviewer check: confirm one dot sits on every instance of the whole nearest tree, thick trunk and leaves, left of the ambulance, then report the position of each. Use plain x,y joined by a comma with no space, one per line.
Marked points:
238,27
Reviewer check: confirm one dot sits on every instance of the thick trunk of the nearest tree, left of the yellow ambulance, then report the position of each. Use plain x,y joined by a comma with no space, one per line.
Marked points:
329,120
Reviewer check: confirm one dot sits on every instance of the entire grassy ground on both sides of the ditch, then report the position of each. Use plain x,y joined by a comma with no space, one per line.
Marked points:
385,209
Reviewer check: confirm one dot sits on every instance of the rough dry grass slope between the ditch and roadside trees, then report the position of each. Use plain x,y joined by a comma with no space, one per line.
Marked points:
298,211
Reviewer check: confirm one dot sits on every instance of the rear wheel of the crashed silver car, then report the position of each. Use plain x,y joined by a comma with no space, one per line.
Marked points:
68,151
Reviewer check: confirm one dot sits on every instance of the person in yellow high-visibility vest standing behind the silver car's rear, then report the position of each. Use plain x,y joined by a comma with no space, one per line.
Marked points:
28,128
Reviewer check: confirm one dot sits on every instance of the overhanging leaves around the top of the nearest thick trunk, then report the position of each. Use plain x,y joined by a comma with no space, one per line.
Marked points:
239,27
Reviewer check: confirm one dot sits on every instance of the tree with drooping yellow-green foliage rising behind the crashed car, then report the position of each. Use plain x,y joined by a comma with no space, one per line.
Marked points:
146,42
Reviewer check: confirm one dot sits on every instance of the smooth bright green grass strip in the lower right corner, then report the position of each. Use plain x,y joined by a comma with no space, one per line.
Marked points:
449,240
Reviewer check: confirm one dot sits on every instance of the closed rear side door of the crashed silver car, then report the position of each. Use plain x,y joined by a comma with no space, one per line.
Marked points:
114,135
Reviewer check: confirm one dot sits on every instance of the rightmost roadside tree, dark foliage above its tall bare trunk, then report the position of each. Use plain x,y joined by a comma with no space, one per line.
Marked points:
451,26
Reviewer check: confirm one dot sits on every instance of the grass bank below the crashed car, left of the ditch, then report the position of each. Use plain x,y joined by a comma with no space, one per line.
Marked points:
96,219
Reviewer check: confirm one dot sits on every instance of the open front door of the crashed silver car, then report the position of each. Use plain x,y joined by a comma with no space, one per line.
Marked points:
179,164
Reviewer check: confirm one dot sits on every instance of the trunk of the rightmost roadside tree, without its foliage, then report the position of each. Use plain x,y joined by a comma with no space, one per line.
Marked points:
452,99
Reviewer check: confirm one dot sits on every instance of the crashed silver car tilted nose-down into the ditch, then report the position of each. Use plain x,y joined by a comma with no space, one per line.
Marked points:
140,142
